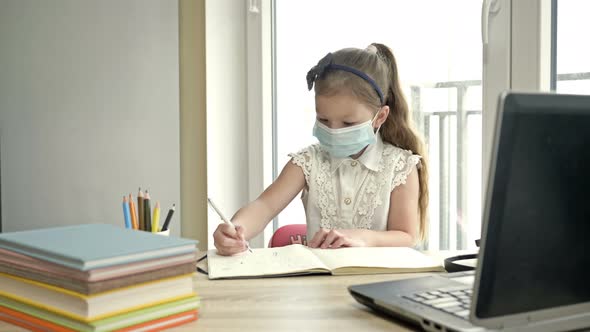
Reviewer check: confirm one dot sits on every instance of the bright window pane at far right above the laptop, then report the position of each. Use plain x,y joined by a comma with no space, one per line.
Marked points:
572,52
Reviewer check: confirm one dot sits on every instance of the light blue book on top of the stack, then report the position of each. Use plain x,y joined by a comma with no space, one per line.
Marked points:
90,246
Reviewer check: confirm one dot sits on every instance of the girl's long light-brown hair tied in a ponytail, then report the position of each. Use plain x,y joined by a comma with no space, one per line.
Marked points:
378,62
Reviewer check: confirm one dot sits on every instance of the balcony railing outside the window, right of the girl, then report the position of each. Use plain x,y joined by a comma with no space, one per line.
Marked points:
452,199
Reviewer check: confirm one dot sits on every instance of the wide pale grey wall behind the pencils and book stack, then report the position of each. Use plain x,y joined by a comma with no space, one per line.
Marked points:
89,103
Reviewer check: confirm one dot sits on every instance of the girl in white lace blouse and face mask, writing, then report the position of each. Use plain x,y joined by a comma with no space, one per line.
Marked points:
365,183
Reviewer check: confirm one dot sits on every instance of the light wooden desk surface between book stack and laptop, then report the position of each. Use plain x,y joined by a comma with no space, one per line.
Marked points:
306,303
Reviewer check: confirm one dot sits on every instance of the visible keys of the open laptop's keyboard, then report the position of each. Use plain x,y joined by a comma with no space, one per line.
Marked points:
454,301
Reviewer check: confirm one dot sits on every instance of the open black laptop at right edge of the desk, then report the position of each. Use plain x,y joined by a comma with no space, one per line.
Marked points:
533,271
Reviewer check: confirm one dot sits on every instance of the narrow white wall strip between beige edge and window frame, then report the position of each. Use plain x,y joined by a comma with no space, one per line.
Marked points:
227,143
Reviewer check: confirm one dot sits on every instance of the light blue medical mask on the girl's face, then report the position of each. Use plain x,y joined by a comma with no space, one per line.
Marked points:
344,142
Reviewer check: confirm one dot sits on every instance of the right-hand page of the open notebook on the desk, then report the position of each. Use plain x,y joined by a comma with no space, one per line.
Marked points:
377,257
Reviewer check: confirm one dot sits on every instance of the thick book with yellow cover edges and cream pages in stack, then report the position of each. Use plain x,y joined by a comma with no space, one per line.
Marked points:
98,306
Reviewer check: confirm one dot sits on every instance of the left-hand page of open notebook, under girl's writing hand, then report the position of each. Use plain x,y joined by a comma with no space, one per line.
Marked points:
263,262
